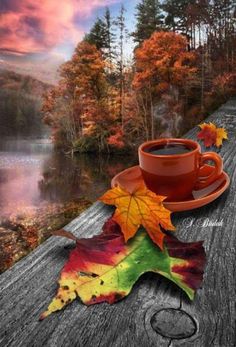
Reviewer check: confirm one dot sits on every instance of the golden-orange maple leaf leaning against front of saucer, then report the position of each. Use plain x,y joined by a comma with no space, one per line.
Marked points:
140,207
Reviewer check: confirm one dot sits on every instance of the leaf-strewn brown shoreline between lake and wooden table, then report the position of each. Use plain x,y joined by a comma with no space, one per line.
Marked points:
24,231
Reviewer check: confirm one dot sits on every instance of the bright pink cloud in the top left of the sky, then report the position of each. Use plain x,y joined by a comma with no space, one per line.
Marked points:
29,26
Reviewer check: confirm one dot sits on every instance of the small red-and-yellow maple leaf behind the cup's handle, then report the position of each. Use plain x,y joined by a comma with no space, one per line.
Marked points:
211,135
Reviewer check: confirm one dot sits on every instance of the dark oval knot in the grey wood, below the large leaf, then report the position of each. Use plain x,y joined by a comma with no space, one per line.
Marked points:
173,323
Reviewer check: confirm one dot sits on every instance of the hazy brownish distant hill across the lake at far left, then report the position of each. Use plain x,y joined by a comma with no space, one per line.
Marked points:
20,105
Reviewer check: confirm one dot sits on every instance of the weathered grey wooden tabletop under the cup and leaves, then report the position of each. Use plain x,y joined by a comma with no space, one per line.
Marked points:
27,288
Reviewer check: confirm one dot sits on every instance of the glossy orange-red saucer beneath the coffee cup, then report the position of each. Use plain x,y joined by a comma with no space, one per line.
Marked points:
129,178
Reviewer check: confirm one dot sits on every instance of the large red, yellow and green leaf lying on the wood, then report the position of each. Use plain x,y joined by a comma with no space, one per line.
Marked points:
105,268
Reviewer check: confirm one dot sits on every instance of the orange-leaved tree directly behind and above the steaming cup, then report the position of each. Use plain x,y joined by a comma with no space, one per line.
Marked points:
163,66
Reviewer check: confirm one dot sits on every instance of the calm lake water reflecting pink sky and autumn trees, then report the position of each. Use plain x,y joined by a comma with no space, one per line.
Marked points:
31,173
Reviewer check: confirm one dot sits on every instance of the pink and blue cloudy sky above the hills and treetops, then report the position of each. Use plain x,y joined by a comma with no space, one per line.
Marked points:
36,36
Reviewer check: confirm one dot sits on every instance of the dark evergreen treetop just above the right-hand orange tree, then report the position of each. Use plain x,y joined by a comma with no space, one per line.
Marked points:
149,19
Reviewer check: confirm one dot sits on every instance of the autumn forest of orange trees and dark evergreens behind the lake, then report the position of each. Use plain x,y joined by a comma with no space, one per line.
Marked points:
183,68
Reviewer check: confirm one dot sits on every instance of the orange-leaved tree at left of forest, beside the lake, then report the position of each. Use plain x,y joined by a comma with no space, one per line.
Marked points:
78,109
